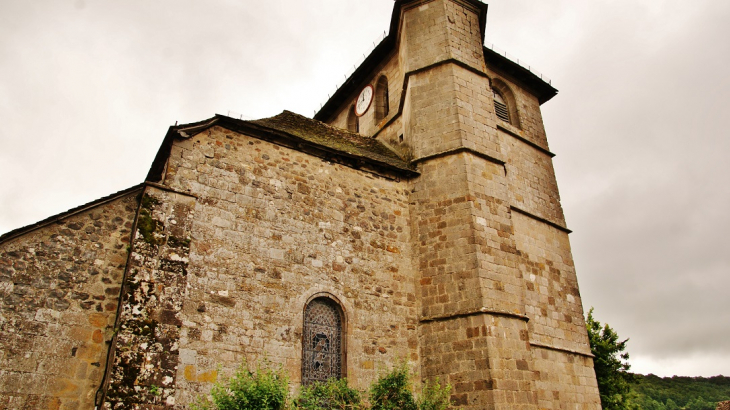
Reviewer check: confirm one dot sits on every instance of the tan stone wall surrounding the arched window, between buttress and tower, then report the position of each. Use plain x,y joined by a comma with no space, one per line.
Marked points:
273,227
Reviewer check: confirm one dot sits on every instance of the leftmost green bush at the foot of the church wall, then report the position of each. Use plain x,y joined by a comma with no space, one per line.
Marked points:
262,389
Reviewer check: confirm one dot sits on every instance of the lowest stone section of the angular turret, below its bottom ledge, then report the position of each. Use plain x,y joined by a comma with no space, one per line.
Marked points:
485,357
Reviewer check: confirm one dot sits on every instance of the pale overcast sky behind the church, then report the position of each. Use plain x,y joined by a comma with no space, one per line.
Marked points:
89,87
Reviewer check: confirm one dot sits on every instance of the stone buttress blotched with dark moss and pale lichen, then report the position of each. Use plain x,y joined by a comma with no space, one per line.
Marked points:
146,346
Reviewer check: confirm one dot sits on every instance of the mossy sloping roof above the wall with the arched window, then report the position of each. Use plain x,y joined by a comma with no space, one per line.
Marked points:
337,139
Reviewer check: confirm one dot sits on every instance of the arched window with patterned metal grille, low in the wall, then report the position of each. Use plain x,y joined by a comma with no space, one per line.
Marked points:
322,342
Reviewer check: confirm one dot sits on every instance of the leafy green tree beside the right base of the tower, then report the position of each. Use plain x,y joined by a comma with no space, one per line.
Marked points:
610,364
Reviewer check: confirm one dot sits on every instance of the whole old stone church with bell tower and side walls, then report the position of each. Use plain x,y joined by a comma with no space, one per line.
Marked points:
416,217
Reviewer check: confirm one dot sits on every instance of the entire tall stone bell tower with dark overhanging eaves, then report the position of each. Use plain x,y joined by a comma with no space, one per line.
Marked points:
499,311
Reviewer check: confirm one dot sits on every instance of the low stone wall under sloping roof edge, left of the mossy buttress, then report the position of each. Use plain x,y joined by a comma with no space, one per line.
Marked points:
59,290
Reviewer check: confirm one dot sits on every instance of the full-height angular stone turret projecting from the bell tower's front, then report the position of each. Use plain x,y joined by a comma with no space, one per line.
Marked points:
473,325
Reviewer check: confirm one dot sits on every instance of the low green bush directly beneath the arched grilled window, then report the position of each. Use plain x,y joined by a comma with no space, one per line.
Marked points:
333,394
